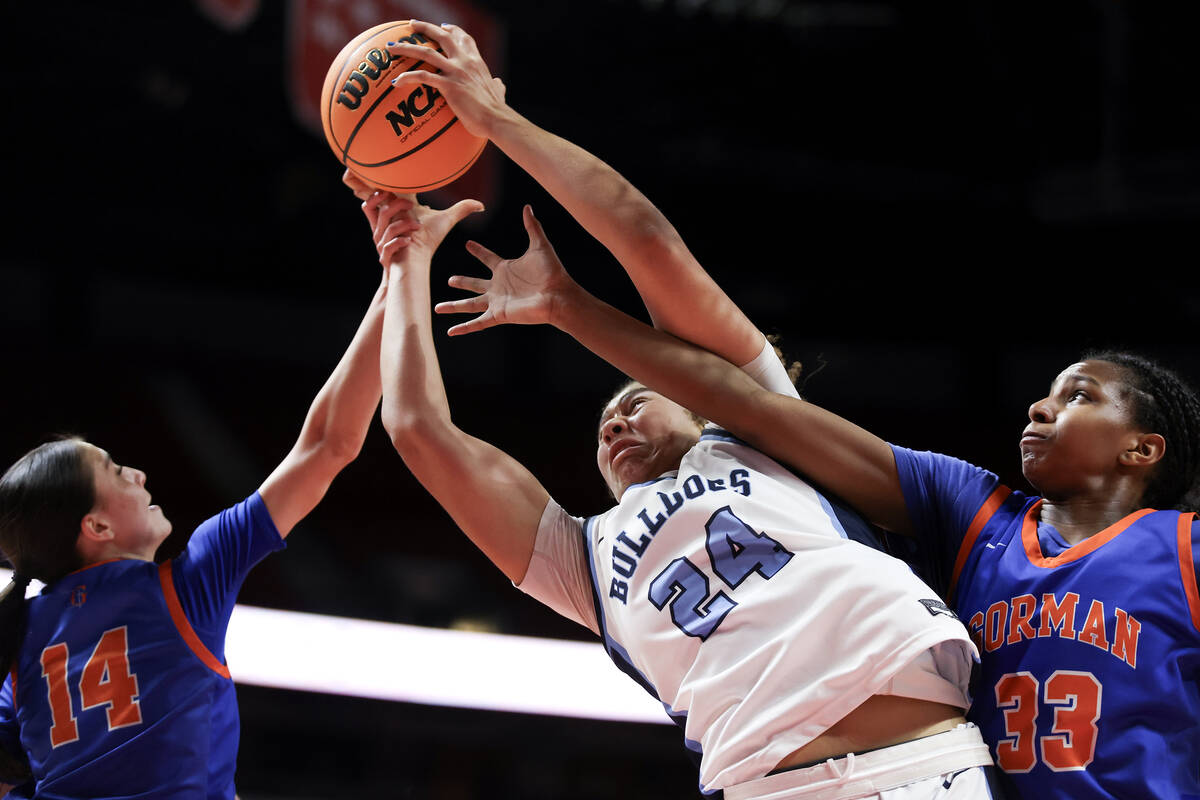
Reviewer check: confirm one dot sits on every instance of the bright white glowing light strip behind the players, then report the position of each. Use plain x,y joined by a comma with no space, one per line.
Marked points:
406,664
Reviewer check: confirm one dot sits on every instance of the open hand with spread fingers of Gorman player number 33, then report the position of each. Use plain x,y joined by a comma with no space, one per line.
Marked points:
527,291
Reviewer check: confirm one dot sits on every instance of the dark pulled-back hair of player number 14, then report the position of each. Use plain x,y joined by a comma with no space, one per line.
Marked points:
44,497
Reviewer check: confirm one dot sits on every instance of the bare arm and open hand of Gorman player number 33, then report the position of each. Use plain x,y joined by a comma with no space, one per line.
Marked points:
535,288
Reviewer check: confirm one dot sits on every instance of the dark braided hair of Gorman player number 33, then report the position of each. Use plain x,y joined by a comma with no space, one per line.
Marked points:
1165,404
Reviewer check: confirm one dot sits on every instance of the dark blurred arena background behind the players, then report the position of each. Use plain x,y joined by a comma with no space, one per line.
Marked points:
937,206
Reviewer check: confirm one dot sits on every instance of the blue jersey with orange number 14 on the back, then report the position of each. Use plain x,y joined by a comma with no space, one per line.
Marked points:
121,685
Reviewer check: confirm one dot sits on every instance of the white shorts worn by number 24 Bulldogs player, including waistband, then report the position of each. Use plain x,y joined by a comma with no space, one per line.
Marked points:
951,766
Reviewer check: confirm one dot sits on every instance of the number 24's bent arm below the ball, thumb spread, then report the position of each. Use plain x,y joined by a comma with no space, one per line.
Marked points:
489,495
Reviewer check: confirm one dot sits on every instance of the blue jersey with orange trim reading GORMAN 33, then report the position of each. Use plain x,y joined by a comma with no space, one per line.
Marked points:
1090,682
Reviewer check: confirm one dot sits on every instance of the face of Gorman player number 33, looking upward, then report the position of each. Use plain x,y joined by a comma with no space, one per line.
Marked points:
1076,436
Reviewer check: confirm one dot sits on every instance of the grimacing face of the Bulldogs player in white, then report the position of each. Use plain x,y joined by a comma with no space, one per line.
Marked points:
643,436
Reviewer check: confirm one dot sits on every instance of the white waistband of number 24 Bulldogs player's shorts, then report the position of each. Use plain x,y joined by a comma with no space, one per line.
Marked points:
877,771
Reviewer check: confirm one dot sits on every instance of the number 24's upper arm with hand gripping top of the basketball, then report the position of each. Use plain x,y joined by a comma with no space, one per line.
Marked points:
681,297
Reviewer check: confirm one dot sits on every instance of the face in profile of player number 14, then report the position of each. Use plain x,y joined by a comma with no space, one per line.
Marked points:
124,504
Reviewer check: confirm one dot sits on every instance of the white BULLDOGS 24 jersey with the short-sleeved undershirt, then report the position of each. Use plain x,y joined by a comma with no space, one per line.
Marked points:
730,591
